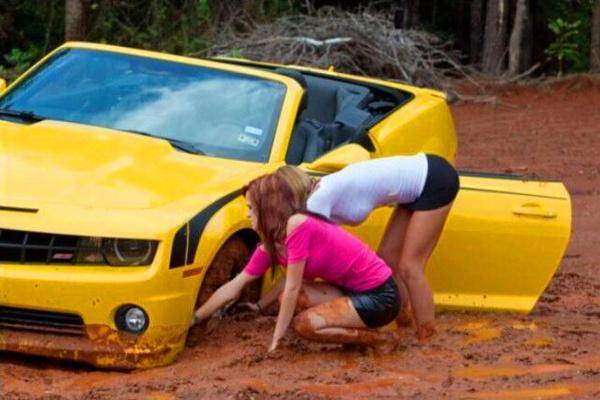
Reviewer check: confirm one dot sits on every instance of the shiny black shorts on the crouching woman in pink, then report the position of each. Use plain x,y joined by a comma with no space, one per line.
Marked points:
378,306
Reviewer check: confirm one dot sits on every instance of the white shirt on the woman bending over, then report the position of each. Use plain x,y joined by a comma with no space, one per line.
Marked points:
349,195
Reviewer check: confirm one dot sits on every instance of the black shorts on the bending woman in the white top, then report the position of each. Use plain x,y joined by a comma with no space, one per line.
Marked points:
441,185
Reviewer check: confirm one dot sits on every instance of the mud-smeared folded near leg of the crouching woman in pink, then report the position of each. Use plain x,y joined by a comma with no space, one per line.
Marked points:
337,321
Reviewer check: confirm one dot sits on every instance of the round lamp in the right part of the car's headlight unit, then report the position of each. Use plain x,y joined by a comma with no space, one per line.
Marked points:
128,251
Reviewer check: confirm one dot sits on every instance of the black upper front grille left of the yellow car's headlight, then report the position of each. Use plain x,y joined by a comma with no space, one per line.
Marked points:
43,248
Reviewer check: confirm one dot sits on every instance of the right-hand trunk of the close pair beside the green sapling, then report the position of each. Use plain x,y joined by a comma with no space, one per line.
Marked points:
521,39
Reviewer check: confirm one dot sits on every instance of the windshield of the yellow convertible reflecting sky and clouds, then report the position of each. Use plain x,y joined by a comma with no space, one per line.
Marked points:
212,112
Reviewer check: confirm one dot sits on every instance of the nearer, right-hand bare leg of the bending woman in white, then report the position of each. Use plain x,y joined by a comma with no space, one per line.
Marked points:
422,235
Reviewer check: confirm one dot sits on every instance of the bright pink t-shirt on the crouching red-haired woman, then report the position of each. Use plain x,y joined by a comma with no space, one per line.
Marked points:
331,254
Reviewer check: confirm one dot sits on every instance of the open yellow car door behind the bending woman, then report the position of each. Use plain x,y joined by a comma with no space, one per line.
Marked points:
502,243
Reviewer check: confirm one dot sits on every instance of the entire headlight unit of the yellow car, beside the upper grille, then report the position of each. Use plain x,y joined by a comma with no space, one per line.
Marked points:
116,252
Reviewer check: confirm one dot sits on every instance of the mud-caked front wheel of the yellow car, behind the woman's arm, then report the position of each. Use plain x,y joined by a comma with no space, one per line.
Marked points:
229,261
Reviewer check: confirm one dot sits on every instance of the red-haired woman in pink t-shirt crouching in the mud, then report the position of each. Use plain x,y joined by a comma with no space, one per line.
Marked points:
357,293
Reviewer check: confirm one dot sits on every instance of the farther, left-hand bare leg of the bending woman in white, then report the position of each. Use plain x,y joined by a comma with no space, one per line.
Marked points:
389,249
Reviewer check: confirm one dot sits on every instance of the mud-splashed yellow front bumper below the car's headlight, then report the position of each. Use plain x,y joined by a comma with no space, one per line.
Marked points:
92,296
